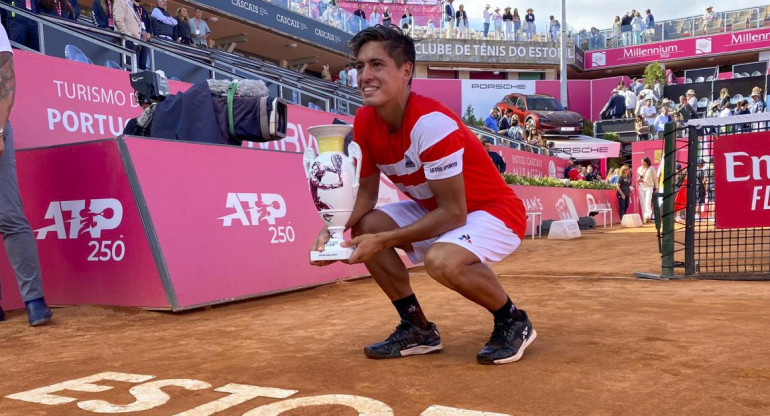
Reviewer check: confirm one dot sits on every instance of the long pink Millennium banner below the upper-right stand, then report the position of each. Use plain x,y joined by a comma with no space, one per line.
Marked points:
680,49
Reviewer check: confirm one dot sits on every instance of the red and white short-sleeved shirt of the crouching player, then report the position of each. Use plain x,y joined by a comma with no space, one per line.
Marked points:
433,143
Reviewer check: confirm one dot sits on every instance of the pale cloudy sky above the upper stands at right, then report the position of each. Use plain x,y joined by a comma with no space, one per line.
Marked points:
582,14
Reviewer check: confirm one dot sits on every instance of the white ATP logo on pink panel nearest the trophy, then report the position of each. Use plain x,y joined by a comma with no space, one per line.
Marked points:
260,208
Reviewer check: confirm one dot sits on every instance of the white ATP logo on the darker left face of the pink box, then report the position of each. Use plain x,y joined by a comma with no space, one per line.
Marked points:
72,219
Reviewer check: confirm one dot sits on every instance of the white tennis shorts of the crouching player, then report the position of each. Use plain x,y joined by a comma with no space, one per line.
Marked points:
484,235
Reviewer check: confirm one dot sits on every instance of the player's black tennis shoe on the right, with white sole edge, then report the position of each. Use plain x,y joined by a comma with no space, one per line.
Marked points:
508,341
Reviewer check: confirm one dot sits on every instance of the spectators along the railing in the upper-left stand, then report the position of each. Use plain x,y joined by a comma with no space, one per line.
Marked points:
129,17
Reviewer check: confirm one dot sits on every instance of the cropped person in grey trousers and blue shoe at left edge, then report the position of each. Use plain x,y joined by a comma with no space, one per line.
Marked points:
20,244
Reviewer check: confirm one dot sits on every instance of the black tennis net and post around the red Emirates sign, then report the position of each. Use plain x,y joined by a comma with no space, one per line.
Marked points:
685,211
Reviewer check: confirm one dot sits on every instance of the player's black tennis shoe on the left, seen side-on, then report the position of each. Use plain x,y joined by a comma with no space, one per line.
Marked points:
406,340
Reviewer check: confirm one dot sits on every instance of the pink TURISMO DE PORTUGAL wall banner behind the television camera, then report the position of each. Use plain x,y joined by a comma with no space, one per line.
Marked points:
68,101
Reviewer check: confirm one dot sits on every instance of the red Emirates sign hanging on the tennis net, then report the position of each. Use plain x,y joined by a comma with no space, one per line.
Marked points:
742,180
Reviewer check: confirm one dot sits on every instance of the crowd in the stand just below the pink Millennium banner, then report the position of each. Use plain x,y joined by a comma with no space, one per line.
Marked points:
643,103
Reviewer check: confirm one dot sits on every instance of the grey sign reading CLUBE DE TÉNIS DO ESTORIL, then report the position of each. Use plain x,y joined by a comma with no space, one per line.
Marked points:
480,51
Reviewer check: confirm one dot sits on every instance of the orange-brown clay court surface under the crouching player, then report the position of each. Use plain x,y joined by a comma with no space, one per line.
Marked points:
608,344
